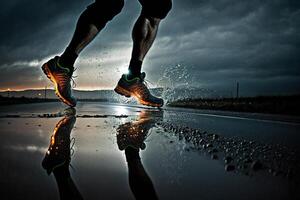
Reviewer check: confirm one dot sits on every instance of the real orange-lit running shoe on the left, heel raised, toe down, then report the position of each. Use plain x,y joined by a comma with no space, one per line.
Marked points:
61,77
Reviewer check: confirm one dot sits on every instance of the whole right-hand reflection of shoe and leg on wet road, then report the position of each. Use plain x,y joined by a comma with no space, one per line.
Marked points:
131,137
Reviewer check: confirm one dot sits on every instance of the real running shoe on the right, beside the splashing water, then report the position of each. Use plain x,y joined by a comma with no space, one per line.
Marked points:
136,88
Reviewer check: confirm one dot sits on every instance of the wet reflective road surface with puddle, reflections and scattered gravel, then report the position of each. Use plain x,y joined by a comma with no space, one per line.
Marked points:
109,151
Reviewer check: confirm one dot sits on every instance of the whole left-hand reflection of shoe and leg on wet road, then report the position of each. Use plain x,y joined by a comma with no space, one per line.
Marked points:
58,157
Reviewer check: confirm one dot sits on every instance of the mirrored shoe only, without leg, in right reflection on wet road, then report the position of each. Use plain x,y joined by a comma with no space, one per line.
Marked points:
133,134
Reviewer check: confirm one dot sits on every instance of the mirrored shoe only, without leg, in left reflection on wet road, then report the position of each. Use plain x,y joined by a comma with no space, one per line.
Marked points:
58,153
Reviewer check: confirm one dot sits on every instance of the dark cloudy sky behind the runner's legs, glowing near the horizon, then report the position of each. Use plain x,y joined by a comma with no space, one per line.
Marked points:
215,42
